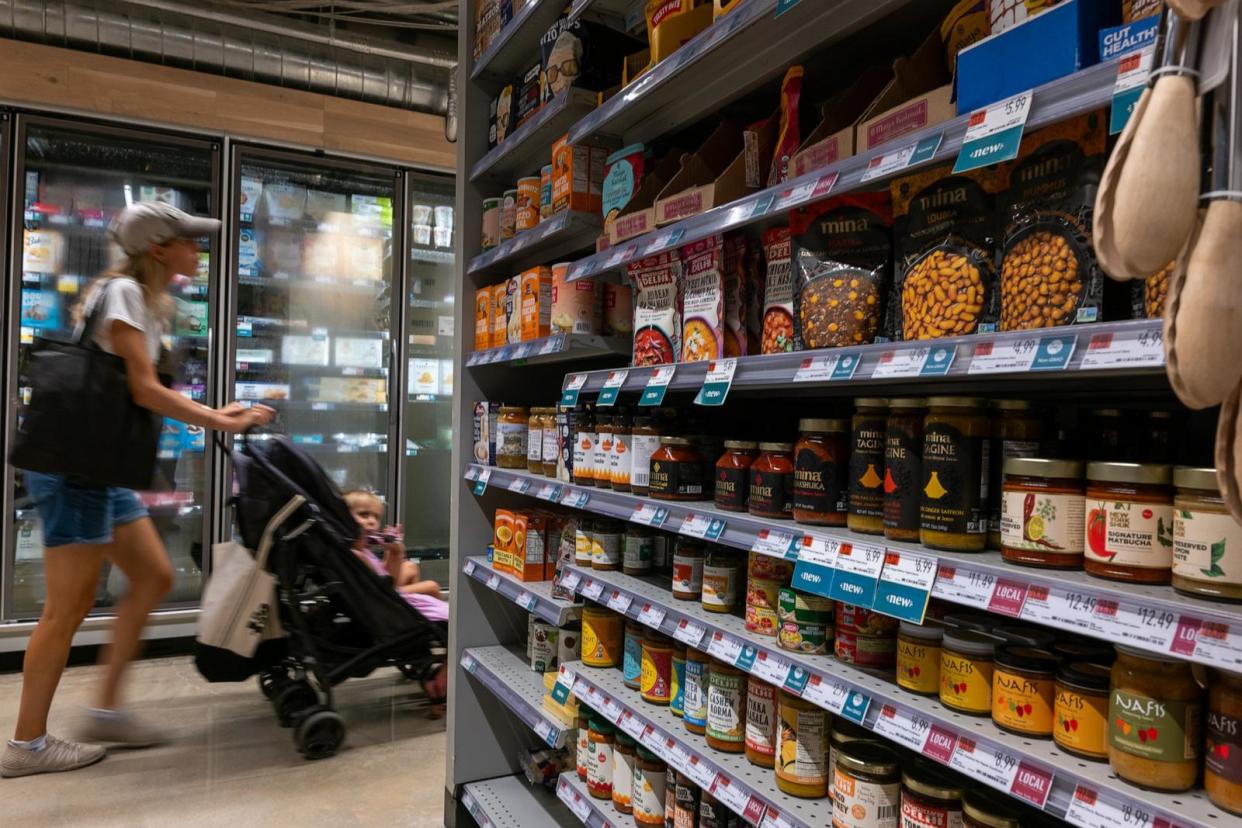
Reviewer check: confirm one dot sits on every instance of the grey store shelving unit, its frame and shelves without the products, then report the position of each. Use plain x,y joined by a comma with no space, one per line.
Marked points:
743,52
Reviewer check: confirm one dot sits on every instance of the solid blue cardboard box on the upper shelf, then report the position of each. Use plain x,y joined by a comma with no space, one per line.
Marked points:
1045,48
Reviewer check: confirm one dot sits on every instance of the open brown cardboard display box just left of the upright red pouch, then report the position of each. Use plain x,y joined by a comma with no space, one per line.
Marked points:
730,166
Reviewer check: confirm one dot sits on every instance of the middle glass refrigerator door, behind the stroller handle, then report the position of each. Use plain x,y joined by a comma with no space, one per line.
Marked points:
314,307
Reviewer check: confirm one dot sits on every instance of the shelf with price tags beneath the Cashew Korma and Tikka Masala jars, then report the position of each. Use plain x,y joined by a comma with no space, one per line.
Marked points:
747,790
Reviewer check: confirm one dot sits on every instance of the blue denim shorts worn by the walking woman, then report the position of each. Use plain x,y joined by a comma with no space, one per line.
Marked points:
80,513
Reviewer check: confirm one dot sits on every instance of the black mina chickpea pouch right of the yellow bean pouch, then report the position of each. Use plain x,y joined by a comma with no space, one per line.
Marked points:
1050,275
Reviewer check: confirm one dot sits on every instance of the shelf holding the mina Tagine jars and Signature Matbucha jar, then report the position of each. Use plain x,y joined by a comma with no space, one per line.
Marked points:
1154,619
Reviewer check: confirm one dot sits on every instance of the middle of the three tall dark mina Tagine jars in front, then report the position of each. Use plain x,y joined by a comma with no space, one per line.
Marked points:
904,467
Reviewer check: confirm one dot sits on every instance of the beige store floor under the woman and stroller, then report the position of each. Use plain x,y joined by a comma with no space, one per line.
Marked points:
233,764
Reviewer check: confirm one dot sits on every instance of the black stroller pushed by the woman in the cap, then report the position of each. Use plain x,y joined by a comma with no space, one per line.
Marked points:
341,621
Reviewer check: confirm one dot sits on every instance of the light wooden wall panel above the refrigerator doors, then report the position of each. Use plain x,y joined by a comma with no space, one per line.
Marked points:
45,76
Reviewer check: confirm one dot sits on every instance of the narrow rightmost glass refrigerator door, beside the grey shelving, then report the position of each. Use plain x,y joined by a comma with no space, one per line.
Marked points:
428,419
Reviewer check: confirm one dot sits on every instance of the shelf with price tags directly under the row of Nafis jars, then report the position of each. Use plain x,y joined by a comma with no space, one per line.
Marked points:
1031,770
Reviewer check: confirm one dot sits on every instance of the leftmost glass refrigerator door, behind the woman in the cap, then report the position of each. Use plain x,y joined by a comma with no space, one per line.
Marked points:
74,179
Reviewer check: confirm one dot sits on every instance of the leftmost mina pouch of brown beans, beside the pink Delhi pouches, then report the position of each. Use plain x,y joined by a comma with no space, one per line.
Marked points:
843,254
